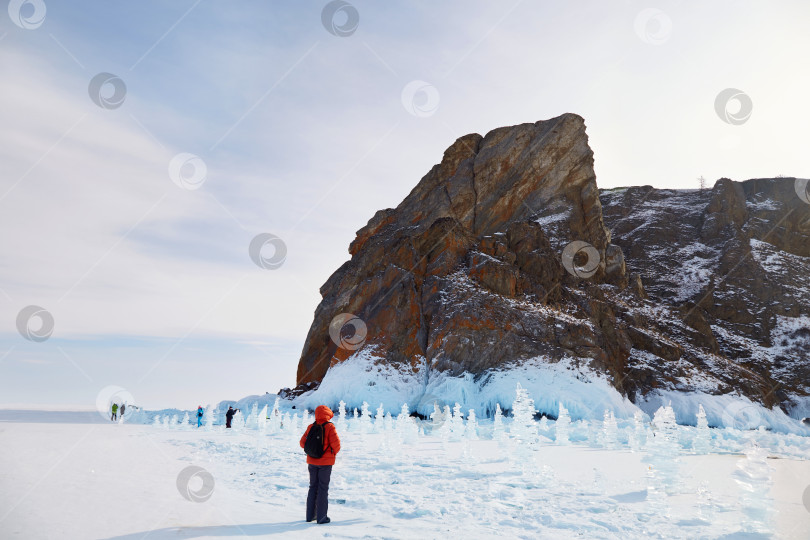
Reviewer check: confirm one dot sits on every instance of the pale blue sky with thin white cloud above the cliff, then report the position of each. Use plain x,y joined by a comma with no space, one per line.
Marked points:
304,135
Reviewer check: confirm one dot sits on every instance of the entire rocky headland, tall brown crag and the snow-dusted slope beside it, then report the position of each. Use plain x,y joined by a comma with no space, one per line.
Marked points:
507,251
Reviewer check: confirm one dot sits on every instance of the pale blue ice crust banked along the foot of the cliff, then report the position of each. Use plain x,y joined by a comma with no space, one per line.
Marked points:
584,393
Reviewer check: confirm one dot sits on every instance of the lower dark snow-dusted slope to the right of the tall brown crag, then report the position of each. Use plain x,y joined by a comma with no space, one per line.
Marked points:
725,275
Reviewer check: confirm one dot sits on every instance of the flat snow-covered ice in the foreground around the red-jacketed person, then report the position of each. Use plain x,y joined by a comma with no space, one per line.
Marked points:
403,478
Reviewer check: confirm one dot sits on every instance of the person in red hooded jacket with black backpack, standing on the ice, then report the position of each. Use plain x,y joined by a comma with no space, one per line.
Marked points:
320,469
